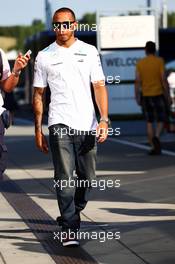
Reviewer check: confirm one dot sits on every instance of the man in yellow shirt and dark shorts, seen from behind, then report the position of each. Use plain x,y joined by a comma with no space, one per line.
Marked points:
154,93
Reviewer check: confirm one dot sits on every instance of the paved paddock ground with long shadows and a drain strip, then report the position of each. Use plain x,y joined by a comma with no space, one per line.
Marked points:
142,209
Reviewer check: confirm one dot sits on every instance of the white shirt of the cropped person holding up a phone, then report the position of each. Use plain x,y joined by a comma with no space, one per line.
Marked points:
6,73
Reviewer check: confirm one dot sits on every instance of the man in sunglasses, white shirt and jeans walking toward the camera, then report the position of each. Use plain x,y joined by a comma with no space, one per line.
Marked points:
69,66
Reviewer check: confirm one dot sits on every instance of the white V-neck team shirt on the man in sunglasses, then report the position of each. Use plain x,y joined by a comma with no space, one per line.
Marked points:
69,73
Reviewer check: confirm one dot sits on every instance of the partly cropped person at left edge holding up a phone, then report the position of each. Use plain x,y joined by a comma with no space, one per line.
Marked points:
8,81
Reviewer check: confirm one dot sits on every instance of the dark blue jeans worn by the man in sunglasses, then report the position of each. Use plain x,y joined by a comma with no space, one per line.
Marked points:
70,152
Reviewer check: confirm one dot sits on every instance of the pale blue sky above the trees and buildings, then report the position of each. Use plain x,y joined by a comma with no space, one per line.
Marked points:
22,12
